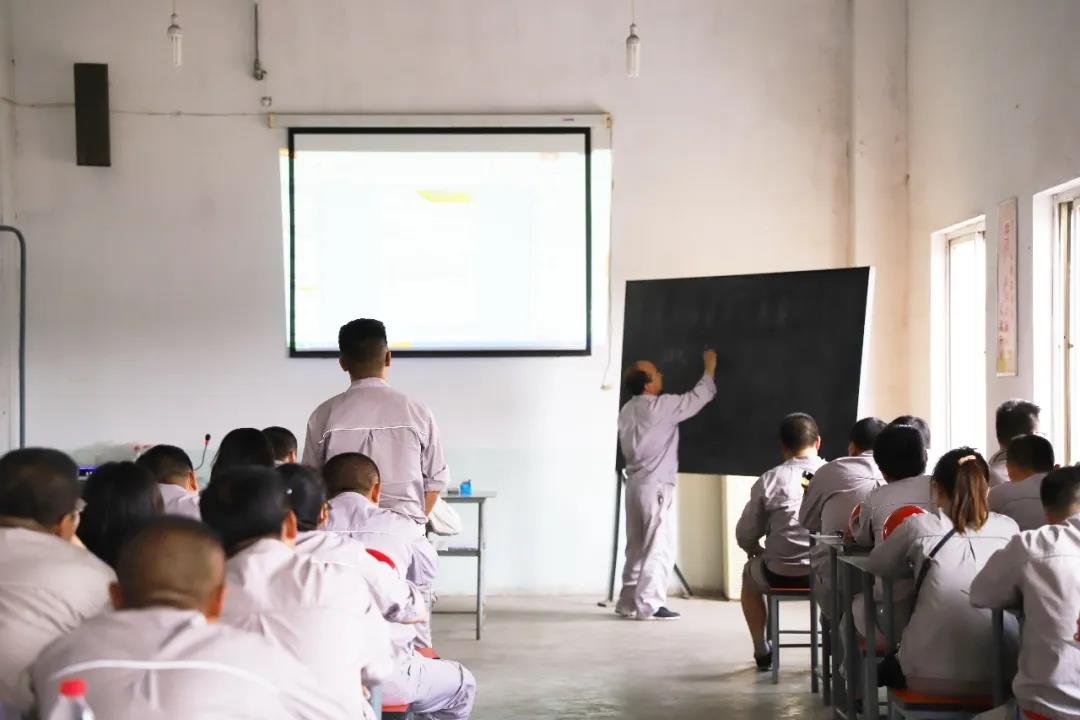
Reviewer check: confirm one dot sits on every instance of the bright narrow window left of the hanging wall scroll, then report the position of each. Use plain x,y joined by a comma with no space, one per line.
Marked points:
966,337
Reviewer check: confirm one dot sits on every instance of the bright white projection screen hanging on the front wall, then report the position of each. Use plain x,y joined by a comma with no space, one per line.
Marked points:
465,241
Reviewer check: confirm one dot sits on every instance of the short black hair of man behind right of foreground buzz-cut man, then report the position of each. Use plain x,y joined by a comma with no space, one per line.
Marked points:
245,504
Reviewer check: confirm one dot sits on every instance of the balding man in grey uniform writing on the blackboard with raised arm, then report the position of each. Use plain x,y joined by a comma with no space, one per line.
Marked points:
649,437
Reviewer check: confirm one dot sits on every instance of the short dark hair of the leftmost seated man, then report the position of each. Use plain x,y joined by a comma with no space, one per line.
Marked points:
39,485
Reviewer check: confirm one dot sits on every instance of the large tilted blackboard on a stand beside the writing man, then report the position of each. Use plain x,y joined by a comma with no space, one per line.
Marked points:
787,343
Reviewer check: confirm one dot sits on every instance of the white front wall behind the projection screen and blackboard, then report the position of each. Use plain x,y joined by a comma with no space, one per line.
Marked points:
156,284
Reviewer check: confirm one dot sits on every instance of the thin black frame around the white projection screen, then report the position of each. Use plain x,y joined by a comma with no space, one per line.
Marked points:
586,132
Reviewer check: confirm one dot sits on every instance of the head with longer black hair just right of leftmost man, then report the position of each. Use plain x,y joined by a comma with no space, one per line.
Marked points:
121,498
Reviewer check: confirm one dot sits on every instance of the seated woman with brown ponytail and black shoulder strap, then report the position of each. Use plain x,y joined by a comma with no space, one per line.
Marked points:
944,647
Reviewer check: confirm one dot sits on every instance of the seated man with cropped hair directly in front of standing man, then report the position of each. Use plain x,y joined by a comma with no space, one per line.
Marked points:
355,487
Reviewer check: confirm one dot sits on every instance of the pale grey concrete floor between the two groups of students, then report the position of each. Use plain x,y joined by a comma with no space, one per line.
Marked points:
565,658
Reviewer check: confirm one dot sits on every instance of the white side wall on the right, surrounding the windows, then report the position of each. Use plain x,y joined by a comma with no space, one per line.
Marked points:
994,115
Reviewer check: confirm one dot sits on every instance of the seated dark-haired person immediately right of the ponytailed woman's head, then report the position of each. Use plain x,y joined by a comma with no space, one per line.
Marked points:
1028,461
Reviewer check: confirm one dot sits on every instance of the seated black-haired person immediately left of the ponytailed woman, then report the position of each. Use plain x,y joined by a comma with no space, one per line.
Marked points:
901,455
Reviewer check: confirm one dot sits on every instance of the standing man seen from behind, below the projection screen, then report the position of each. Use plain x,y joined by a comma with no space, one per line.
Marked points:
381,423
